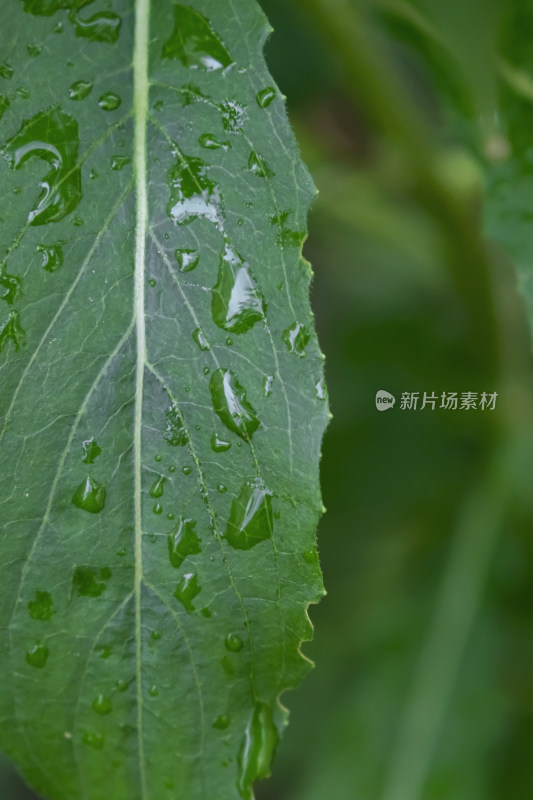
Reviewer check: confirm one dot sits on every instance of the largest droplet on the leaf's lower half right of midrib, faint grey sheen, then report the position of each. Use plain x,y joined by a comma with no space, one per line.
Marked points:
250,520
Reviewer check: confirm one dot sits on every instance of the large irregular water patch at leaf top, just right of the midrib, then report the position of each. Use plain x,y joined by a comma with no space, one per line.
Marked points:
194,42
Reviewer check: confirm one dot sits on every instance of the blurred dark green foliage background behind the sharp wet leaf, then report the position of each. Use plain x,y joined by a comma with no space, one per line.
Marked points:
414,119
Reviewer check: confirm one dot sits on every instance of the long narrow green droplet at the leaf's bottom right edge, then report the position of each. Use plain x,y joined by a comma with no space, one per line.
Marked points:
257,749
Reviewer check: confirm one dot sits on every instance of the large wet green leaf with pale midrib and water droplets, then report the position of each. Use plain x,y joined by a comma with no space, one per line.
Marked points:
162,403
